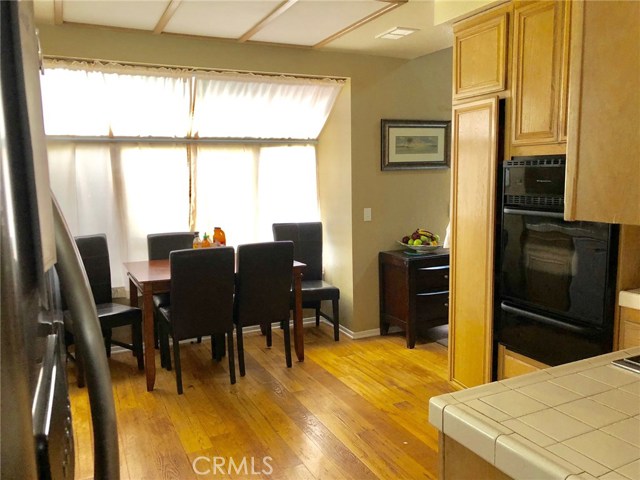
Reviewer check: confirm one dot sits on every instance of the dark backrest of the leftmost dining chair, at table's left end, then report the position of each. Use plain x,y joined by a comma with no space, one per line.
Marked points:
94,252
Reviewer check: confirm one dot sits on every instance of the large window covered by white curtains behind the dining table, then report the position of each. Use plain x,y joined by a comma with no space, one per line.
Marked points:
135,151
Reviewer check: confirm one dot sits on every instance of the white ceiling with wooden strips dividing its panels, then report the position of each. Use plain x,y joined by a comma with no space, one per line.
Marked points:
325,25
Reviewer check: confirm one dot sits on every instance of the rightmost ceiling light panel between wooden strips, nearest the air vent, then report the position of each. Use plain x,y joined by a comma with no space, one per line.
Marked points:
310,21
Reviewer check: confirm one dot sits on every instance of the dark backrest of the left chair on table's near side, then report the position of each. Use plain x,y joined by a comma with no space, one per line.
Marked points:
202,289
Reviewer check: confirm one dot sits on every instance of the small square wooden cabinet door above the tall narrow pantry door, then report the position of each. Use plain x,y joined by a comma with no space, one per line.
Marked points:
480,54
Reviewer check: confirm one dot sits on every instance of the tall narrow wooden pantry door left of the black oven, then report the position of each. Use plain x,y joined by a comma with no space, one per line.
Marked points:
474,169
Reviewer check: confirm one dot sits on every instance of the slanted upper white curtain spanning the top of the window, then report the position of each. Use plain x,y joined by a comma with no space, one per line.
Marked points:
116,100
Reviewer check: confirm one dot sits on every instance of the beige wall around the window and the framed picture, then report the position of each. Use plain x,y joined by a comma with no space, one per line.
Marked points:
349,168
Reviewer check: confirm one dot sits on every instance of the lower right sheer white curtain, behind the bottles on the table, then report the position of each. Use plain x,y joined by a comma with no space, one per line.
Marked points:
245,189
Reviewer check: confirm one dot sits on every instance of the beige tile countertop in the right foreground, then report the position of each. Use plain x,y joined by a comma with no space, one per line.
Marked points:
575,421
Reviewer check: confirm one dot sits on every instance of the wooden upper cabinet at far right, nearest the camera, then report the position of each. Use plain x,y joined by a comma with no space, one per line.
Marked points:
603,143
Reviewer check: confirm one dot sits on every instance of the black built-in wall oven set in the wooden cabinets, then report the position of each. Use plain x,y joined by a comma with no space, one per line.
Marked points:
555,279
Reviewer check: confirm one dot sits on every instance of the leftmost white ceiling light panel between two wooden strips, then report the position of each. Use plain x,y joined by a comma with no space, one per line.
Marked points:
142,15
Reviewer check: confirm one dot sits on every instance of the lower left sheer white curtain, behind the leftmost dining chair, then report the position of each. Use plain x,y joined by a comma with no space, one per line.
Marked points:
125,191
